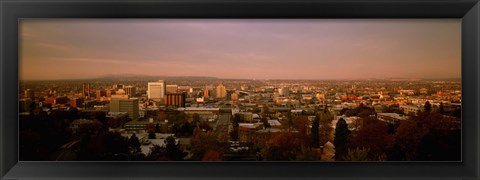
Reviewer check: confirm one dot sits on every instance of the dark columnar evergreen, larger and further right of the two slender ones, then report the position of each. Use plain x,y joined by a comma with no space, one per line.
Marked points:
341,139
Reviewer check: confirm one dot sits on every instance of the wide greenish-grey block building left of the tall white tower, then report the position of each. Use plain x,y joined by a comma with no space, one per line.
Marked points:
121,103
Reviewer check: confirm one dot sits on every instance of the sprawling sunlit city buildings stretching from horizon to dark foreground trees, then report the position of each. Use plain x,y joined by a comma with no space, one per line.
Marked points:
253,110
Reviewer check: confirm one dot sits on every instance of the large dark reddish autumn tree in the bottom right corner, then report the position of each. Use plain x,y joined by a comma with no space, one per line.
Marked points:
427,136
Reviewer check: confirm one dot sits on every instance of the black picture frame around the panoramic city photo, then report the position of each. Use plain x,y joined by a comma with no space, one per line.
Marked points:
12,10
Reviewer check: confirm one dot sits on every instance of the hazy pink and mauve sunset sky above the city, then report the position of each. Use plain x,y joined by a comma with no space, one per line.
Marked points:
52,49
